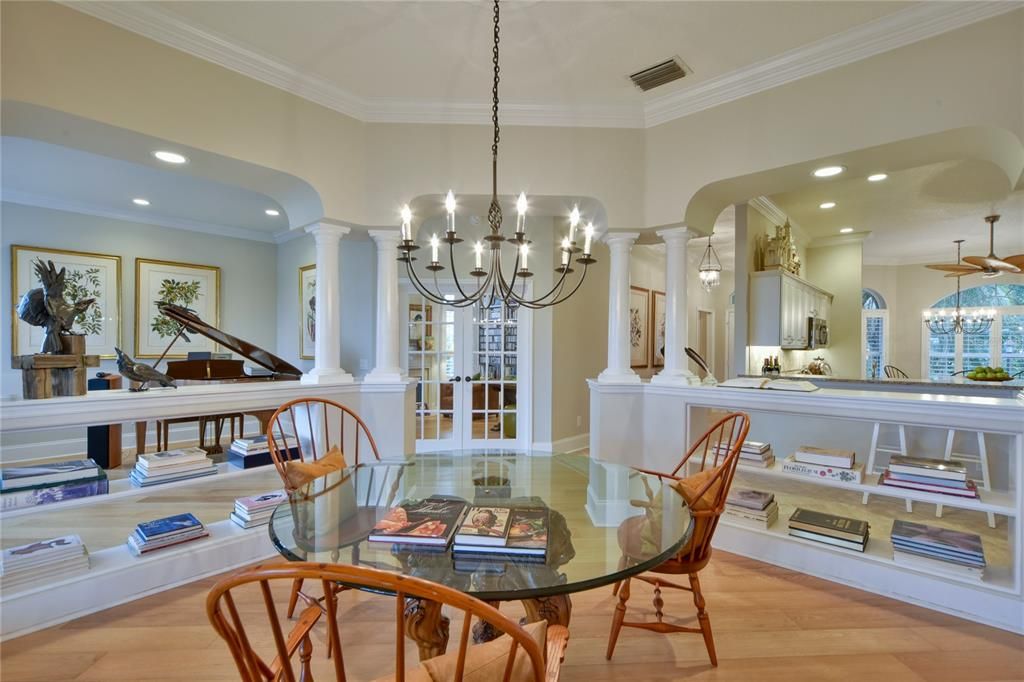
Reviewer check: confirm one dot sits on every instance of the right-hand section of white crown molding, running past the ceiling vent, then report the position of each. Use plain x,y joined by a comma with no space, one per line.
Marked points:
922,21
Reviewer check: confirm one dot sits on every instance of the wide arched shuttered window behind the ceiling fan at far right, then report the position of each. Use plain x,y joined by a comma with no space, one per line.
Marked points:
1003,346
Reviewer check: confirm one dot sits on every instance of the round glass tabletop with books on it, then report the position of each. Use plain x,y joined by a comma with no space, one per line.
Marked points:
589,502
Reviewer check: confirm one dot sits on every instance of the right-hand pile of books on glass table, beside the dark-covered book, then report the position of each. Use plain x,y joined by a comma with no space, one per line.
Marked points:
503,532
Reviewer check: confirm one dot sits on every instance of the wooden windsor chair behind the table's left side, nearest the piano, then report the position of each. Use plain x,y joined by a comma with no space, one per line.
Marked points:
308,430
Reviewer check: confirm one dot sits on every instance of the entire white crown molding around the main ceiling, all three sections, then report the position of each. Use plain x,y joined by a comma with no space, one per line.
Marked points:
920,22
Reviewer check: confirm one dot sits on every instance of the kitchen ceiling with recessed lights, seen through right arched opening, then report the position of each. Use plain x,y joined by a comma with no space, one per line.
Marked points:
914,216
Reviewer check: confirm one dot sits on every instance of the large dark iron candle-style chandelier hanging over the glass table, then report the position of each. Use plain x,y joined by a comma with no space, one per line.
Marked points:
492,284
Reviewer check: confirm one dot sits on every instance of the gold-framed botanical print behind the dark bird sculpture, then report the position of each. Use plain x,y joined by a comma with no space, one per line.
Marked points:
87,276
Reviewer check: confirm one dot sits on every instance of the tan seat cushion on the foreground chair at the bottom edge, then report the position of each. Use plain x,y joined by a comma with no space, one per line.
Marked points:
485,663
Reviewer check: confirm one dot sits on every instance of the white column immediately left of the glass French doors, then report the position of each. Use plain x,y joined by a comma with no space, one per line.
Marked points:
389,368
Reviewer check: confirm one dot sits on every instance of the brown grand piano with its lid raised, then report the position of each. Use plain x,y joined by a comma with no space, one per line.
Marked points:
216,371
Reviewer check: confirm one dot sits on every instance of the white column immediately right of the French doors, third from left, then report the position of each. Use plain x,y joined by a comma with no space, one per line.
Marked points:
619,371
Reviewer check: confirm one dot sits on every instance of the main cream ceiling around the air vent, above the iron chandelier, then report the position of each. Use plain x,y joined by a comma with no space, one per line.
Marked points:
563,63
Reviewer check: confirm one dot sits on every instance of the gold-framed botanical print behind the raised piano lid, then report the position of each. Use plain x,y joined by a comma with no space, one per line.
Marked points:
194,287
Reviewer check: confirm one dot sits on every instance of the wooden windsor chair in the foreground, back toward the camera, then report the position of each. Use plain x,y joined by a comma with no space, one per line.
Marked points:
533,653
